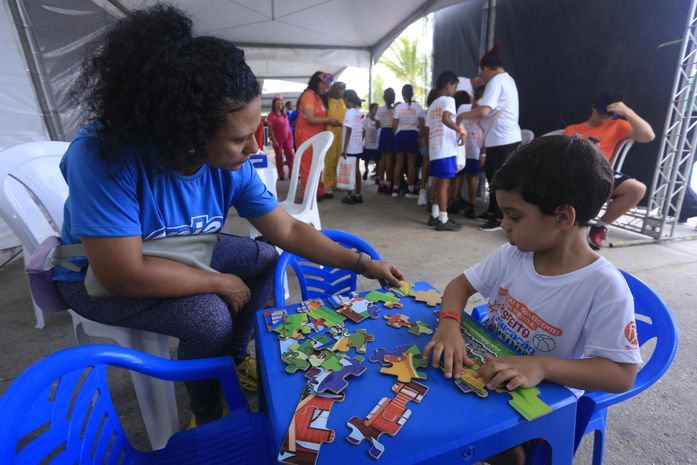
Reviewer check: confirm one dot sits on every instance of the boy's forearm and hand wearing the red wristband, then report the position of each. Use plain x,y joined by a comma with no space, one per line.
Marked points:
447,341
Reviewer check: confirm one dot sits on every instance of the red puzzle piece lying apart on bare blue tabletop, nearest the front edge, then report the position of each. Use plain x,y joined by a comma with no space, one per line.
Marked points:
387,417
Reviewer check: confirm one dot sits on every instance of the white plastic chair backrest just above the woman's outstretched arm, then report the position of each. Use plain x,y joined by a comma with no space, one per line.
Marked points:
320,144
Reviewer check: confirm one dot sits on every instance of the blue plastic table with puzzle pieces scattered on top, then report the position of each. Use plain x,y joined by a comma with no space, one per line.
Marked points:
447,426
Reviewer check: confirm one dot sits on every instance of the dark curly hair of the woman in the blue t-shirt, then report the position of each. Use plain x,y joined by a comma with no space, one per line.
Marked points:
152,84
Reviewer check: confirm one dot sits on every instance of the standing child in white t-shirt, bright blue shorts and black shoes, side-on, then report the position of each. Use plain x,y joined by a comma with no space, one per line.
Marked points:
445,140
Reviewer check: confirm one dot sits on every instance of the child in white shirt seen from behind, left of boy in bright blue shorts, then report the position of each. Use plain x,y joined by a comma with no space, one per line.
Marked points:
408,126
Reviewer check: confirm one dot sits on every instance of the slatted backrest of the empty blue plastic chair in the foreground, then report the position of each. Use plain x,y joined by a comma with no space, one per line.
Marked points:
58,406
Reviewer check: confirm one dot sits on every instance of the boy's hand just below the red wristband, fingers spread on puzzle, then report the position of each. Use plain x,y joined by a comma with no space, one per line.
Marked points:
447,343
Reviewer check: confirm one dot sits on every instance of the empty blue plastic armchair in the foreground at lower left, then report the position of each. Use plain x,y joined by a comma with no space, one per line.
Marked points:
60,407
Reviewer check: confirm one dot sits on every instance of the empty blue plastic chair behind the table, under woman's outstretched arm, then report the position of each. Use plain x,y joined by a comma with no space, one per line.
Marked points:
318,280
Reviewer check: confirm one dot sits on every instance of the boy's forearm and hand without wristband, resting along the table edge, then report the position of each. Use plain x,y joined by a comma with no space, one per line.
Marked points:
591,374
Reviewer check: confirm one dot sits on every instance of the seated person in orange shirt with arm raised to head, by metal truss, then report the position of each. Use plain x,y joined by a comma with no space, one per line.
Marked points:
610,123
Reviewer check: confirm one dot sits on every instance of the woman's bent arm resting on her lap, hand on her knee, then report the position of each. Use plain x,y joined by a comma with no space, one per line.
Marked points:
120,266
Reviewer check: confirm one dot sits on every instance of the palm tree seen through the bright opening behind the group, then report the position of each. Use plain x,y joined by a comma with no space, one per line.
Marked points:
406,64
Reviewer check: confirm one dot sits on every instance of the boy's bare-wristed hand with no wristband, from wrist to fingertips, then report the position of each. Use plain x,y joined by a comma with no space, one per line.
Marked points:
514,372
